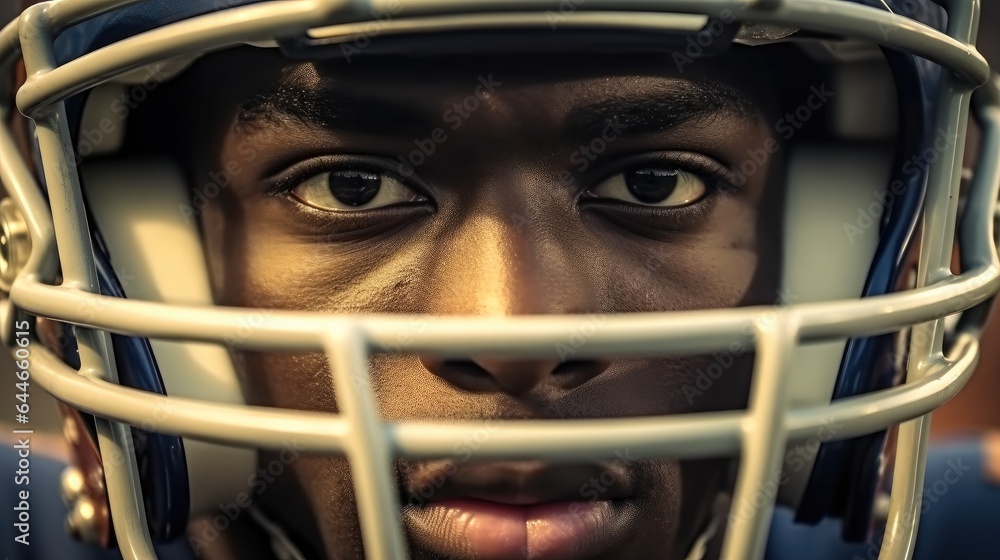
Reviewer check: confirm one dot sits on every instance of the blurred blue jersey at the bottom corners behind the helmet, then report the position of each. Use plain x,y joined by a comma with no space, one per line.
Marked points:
960,517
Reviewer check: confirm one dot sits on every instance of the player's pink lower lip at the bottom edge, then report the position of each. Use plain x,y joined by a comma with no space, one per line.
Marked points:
493,531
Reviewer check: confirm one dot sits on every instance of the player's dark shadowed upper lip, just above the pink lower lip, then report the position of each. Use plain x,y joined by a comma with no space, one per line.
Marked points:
517,483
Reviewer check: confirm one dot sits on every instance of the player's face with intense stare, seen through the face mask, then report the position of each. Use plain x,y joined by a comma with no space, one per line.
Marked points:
494,186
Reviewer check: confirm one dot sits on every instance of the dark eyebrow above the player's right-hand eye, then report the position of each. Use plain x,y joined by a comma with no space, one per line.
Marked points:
674,106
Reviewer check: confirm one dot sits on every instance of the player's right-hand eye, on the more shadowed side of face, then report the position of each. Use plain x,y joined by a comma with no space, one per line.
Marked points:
662,187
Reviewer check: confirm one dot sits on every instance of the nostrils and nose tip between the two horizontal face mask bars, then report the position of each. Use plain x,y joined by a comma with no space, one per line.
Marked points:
516,377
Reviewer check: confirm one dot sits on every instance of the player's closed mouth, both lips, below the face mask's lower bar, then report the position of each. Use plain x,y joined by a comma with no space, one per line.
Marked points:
518,510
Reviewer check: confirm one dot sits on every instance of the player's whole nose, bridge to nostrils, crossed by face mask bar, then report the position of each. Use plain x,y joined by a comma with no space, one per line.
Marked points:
489,265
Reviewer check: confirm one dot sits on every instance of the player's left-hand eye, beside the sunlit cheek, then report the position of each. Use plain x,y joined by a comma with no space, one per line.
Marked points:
354,190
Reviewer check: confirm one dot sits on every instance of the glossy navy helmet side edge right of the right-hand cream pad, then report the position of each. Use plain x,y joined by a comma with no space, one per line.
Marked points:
844,475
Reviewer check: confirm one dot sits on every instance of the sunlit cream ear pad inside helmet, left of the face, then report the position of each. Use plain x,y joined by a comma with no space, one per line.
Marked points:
154,253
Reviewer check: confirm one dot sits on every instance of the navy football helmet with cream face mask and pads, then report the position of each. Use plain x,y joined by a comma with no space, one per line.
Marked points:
145,347
